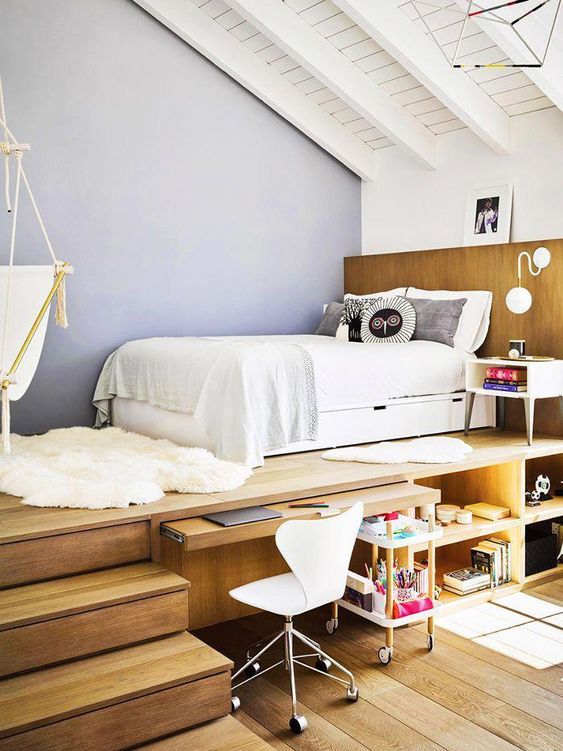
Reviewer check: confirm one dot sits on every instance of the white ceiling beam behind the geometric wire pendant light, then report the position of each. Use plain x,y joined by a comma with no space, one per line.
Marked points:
548,78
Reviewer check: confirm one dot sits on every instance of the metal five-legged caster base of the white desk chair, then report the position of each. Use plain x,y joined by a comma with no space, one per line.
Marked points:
323,663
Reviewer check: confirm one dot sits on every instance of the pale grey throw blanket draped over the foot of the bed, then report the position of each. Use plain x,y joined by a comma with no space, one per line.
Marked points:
252,395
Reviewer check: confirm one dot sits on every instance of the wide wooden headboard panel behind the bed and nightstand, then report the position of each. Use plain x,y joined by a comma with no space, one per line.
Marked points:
491,267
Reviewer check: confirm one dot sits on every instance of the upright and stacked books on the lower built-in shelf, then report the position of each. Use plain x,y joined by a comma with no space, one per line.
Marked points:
490,567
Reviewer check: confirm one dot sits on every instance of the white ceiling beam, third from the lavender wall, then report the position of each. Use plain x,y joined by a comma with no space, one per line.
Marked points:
393,31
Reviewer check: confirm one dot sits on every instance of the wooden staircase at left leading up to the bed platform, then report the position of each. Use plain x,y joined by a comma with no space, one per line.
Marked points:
100,661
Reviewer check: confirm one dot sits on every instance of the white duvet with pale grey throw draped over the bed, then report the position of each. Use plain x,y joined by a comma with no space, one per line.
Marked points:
255,394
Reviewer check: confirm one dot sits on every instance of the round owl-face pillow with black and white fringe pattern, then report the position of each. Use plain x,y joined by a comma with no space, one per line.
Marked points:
388,320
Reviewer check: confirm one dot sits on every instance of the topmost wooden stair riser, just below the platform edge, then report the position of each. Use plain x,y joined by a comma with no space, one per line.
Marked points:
73,553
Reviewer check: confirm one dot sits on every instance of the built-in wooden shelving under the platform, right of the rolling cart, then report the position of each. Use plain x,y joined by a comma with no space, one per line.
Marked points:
502,480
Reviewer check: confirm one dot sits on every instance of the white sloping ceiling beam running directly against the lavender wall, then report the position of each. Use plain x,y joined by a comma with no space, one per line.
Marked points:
206,36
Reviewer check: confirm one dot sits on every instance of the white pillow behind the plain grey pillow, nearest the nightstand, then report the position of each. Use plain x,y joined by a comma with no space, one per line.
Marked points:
475,316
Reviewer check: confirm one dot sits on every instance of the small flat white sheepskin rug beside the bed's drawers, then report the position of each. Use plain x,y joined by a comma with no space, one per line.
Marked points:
432,450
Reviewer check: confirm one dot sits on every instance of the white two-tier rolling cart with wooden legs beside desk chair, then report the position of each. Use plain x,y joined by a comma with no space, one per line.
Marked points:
425,532
